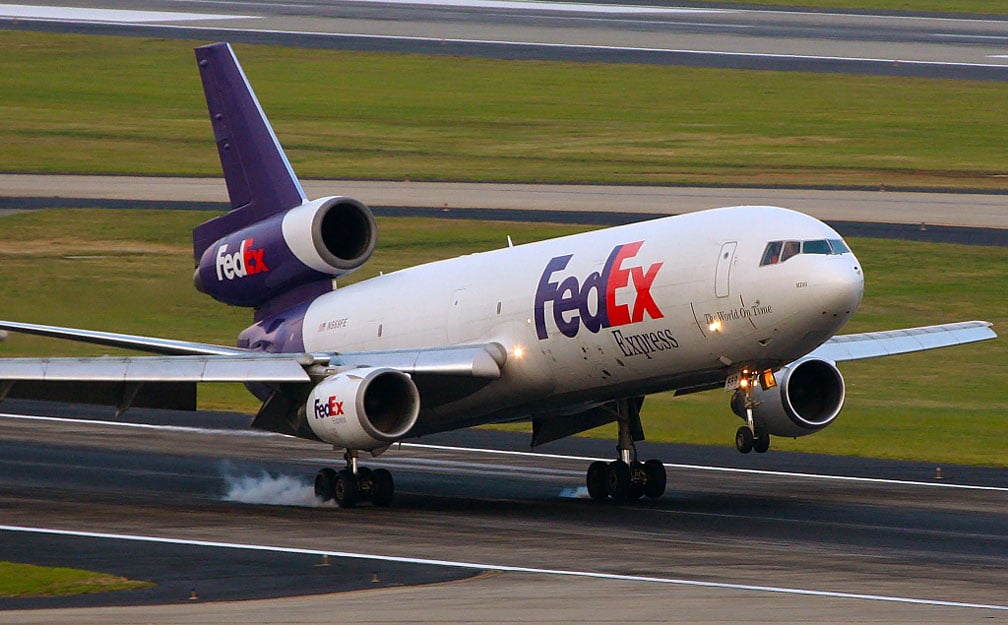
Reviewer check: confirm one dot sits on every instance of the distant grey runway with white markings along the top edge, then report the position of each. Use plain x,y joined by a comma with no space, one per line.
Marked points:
657,32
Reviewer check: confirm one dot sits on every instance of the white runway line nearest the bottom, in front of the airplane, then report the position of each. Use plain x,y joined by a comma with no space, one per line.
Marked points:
510,569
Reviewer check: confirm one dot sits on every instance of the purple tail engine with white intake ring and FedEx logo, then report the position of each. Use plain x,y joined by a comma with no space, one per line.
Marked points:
316,241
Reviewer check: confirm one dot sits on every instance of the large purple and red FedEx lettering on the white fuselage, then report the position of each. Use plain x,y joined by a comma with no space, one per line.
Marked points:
599,302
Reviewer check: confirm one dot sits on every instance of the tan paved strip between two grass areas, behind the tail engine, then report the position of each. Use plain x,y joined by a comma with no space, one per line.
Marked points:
976,219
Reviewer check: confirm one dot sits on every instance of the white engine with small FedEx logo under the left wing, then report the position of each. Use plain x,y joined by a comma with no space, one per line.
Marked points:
363,409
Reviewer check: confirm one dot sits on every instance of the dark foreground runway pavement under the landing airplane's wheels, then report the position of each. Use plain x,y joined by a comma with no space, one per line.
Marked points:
751,541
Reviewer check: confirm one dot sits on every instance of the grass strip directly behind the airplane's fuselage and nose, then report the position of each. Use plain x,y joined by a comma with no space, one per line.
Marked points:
132,272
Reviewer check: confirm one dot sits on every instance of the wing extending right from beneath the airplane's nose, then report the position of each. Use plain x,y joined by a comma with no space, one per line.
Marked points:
877,344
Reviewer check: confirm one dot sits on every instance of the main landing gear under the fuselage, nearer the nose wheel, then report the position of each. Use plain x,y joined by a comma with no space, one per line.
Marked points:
626,478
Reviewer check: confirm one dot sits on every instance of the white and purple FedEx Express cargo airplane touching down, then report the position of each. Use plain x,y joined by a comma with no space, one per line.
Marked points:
570,333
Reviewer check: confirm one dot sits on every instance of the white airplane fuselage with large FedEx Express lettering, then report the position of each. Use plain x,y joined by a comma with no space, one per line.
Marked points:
678,303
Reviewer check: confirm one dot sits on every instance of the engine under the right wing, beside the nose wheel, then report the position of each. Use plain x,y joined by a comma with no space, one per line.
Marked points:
809,397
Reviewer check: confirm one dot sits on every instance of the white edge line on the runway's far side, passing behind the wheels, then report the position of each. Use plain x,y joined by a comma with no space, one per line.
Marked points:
533,455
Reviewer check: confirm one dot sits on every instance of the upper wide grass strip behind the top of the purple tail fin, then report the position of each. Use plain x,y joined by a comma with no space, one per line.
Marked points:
108,105
